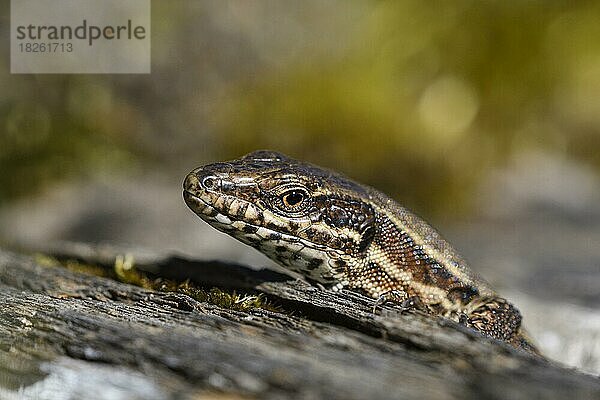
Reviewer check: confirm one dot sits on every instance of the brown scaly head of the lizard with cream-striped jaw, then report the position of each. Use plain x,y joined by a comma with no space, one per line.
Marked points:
308,219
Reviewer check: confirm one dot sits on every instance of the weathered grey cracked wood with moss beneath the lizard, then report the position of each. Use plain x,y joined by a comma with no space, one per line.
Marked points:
69,336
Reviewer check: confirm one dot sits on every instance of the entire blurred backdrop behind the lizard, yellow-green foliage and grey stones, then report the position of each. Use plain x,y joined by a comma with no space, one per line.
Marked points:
482,116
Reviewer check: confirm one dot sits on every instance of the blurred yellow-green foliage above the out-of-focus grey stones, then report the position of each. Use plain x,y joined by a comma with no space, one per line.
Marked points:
419,99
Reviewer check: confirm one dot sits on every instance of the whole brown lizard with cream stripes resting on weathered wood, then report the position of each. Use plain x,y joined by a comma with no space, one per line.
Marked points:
340,234
